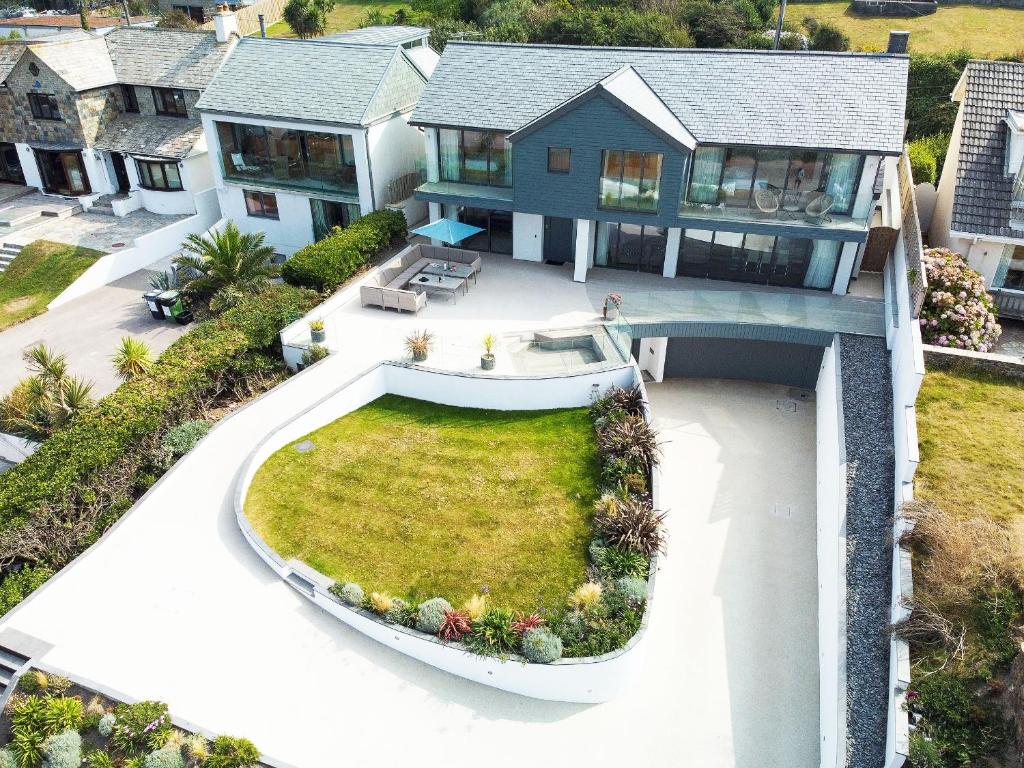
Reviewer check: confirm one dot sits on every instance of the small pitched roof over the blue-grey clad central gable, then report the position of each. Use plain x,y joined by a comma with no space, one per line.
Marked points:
634,96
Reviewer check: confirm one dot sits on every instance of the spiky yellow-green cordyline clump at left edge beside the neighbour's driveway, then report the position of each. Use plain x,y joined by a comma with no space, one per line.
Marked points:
46,401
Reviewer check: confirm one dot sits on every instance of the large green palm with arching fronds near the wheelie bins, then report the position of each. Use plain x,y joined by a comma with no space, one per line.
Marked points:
226,266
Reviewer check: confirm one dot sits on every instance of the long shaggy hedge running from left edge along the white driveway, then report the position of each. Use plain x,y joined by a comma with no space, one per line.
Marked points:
97,462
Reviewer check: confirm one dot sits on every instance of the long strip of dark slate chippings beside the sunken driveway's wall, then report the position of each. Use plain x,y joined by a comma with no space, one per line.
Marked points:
871,497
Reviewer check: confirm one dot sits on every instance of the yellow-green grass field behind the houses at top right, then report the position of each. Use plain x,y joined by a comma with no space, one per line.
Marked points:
985,31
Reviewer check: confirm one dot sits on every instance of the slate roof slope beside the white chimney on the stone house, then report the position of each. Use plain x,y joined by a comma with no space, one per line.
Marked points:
170,59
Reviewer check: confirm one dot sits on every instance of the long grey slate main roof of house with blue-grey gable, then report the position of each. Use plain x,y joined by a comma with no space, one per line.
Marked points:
823,101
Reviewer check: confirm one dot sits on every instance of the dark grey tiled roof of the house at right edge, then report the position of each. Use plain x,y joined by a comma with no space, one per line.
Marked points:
982,201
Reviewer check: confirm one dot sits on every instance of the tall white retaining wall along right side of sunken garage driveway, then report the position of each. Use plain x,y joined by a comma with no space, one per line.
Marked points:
831,478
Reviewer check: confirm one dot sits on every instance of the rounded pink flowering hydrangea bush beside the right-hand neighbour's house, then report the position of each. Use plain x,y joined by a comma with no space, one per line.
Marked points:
958,312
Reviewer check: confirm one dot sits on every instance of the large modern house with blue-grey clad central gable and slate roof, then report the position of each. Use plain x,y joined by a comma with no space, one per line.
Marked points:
745,166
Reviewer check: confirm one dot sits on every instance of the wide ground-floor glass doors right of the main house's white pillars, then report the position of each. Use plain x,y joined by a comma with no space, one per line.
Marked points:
794,263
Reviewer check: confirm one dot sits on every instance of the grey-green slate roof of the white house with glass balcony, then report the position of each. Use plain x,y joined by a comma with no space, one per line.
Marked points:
314,81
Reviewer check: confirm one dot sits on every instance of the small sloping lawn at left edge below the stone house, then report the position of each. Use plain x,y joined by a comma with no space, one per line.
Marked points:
37,276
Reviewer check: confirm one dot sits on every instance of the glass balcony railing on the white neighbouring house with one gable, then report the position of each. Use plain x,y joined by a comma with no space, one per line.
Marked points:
289,174
